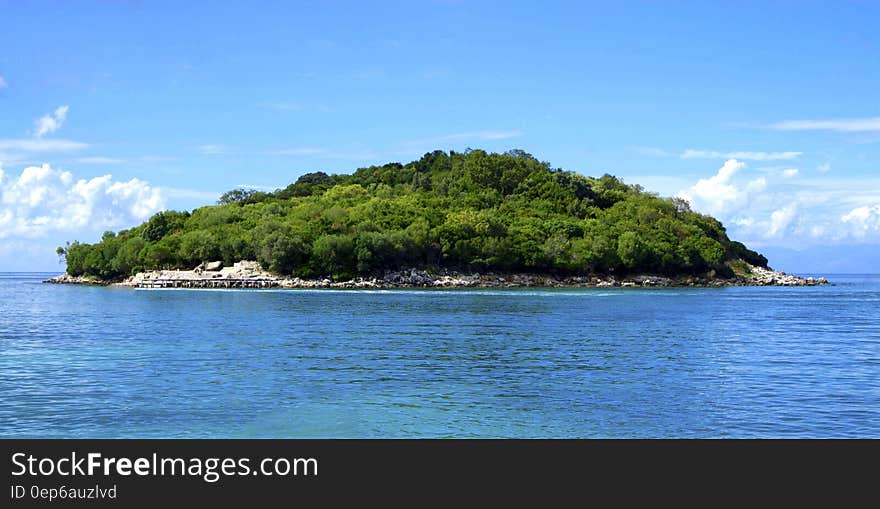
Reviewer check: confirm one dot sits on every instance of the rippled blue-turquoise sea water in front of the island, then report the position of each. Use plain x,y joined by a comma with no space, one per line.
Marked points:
733,362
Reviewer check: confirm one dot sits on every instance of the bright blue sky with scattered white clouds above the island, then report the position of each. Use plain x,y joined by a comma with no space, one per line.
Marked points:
764,114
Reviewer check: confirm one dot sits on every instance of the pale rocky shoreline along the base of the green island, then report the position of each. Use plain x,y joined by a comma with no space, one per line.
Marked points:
248,274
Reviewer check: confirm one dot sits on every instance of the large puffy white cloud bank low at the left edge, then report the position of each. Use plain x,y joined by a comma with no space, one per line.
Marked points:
42,200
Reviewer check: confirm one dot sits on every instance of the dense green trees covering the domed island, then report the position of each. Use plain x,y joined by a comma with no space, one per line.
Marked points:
470,211
